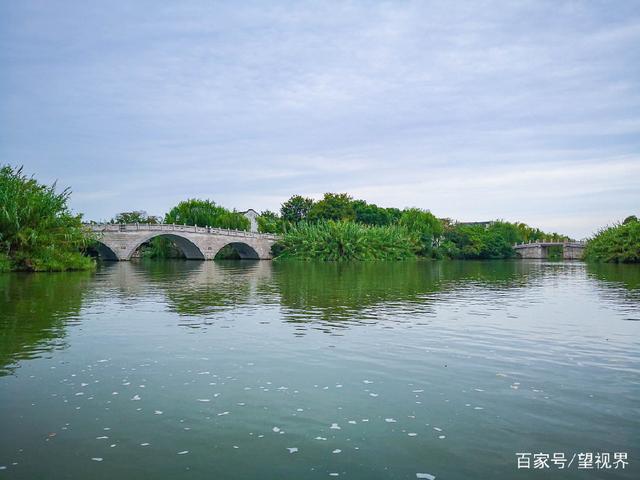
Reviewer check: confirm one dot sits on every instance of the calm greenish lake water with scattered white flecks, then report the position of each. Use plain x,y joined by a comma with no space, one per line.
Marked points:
243,370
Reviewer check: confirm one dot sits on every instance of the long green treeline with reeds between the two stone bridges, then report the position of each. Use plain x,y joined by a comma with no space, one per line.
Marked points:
338,227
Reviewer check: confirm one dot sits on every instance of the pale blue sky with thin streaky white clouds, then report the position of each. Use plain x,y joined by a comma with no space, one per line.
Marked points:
479,110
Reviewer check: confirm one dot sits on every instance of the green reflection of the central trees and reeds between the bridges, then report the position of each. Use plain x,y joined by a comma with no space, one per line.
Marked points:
338,292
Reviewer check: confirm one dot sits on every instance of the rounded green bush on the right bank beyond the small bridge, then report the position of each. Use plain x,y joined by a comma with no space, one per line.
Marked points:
617,244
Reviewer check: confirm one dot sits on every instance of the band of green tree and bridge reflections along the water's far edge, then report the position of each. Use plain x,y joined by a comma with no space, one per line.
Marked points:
330,296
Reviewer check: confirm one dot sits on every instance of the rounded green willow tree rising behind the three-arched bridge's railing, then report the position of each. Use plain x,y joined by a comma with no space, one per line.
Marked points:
206,213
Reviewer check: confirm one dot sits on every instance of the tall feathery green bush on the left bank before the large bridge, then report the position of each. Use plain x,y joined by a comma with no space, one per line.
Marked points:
37,230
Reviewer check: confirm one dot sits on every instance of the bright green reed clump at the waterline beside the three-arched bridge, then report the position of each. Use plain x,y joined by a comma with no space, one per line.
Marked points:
339,241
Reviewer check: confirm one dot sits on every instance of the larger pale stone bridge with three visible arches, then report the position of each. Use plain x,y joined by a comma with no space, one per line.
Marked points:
118,242
